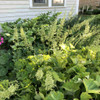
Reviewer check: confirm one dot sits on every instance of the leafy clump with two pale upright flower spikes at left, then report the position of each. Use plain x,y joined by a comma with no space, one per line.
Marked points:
21,44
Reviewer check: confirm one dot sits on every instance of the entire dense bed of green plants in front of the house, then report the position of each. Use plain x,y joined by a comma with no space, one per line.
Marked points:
49,59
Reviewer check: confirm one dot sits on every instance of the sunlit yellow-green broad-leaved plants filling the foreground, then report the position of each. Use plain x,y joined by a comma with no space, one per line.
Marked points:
66,72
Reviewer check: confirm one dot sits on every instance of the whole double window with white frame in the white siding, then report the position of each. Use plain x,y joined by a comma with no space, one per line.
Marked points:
47,3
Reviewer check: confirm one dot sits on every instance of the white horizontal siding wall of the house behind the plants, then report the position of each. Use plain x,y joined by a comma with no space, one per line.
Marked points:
11,10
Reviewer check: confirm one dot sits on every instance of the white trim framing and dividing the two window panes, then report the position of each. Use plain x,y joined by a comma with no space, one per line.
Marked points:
49,5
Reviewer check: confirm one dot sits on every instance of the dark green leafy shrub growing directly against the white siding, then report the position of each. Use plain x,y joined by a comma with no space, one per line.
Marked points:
30,26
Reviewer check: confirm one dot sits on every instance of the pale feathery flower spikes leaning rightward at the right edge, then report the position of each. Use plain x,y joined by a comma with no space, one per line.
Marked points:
84,31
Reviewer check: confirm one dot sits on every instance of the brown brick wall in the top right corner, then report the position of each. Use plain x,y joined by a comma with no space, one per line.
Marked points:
93,3
